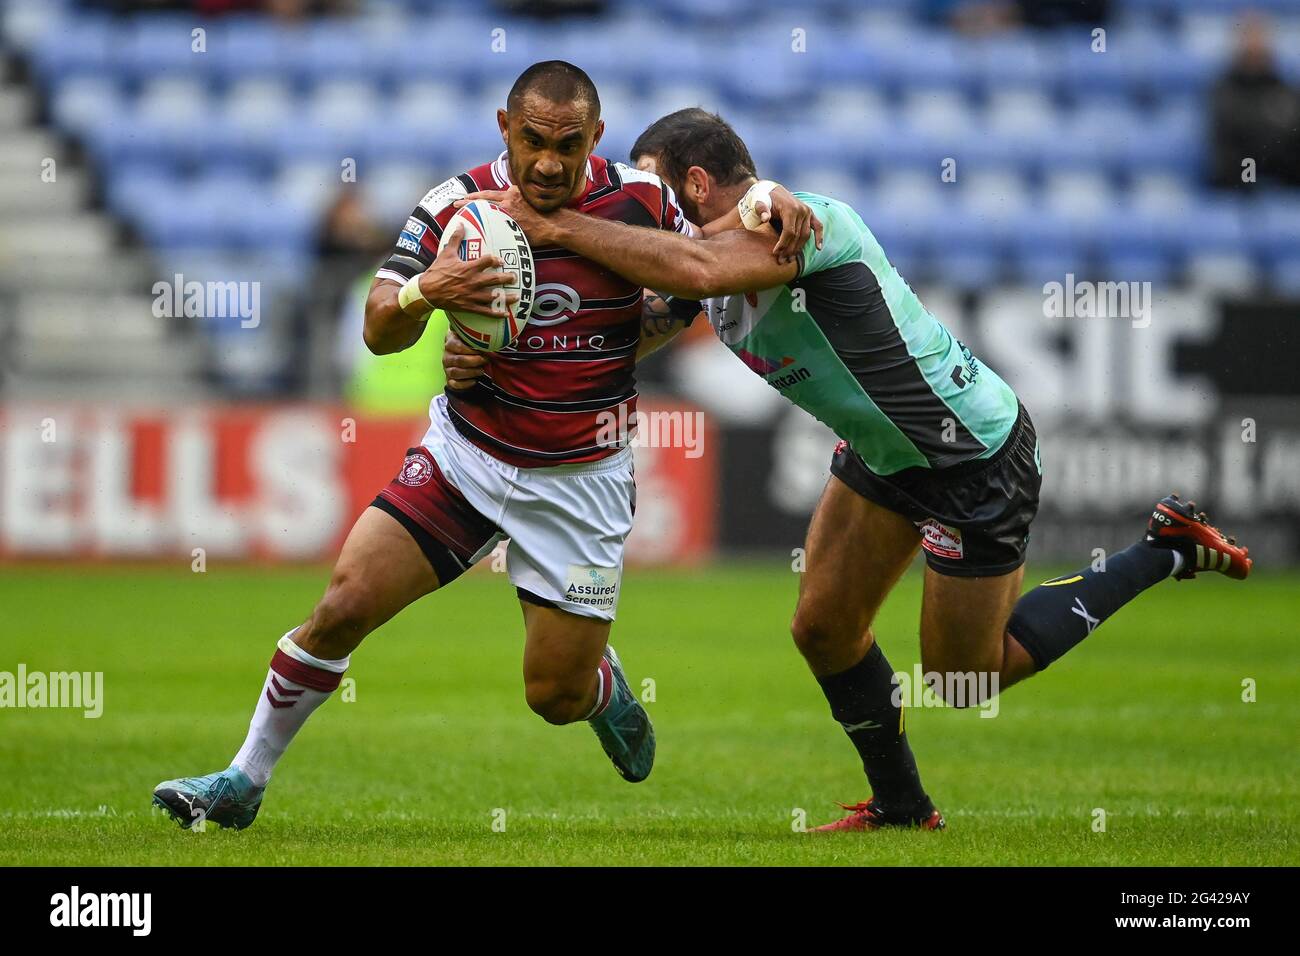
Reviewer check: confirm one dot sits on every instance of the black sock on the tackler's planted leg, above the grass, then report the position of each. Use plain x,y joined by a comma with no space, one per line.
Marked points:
863,700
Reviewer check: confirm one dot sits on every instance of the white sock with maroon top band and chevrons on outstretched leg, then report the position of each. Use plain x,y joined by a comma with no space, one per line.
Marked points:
296,686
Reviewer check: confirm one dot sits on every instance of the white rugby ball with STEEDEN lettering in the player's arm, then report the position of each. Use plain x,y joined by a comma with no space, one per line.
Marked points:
487,231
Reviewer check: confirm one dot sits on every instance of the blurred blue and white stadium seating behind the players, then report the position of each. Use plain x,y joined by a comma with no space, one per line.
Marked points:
870,113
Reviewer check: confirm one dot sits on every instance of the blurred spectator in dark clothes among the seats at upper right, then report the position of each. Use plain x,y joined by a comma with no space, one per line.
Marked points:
1255,115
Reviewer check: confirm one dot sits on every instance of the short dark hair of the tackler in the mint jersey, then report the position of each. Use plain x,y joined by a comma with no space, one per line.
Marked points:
695,137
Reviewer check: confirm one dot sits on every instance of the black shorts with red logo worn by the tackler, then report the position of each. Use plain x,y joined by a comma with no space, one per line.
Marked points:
974,518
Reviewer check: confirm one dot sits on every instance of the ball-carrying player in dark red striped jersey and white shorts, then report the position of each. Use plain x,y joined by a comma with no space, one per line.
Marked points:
517,457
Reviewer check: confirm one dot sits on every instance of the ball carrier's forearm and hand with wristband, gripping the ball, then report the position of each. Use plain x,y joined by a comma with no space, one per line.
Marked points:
396,314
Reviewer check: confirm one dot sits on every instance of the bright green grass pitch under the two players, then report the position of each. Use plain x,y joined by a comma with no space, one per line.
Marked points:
1146,721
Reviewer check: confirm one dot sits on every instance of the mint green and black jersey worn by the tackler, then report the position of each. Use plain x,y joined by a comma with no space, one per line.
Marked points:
850,343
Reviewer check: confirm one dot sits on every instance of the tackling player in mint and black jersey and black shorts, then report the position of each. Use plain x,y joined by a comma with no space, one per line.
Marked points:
937,452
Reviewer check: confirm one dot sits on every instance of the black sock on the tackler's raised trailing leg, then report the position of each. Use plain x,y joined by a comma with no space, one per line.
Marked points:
1059,615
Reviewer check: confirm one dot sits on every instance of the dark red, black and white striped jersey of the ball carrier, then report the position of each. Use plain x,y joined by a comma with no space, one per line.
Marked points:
549,397
